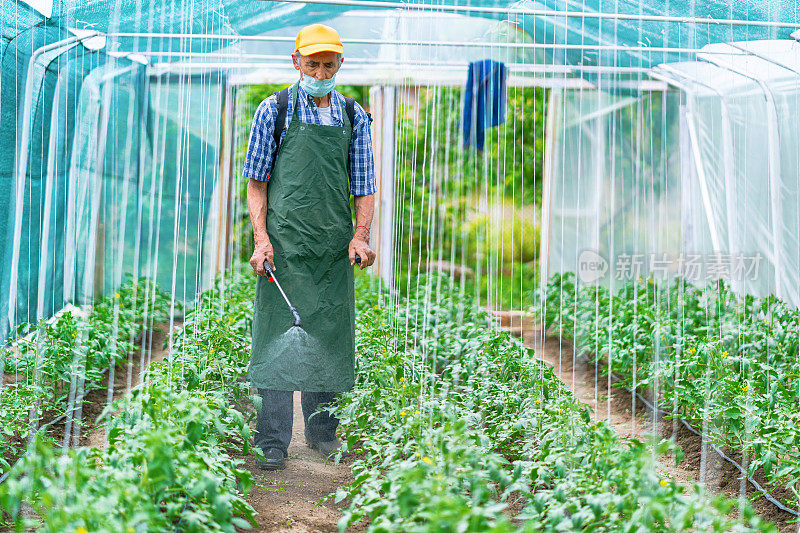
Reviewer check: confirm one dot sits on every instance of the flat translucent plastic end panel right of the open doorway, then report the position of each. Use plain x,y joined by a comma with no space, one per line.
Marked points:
613,184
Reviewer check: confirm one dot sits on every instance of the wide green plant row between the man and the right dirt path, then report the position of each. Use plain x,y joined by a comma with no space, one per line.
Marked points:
460,428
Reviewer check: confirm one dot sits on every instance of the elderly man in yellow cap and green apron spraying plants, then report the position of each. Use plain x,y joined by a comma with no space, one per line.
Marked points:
310,148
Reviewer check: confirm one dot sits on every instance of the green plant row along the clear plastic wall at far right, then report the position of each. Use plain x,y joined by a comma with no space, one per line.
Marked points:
726,364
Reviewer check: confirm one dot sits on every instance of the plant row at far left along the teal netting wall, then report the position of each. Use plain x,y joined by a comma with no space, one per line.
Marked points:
58,364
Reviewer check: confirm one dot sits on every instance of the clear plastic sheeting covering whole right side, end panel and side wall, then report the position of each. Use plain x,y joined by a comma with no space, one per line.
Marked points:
709,181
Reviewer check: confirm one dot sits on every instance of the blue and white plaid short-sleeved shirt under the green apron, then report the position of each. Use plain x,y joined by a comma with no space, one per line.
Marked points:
261,148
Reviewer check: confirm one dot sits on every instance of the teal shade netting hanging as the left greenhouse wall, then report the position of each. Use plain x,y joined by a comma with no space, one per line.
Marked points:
96,204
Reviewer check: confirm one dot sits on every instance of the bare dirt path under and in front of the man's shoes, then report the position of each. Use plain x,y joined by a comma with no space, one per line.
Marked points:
288,500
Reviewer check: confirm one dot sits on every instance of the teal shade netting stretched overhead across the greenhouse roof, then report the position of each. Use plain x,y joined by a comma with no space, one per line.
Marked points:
257,17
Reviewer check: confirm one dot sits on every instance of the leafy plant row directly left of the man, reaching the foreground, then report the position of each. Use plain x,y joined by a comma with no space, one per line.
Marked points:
169,461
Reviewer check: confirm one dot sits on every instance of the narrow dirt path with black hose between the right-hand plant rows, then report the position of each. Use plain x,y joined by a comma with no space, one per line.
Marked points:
633,419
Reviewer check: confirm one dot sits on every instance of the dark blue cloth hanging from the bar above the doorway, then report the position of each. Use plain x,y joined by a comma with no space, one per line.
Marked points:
484,100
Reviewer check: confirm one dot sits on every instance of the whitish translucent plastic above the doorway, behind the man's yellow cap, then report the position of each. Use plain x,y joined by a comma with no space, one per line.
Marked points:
395,45
